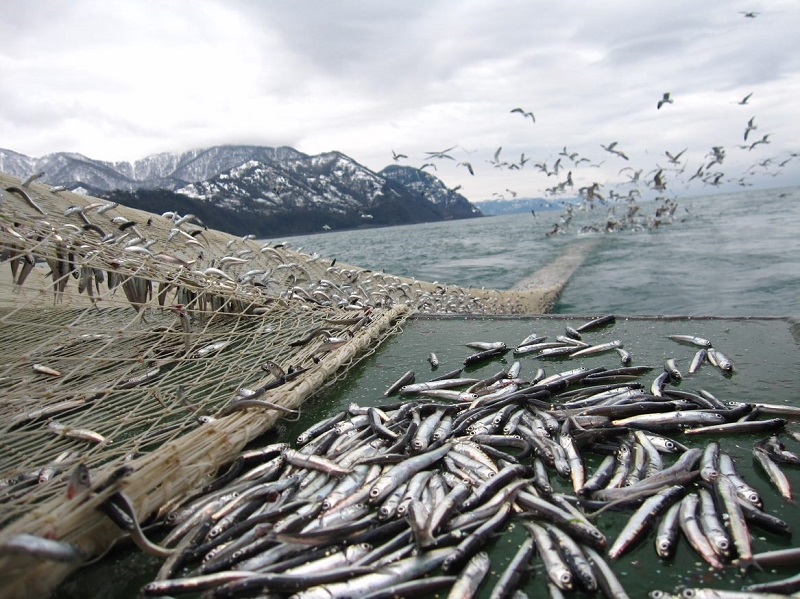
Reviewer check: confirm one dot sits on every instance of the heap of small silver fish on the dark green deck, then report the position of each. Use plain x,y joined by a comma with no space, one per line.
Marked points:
403,499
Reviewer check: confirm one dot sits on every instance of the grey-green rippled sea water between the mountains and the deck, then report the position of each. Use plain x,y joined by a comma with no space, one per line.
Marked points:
733,254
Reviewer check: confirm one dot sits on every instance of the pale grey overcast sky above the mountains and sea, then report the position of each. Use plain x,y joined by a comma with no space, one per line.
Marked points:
118,80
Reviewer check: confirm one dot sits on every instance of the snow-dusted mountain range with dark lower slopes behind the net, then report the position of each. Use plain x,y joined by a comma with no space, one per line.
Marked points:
254,189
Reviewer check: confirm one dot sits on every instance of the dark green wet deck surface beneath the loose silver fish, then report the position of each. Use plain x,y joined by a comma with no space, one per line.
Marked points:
765,355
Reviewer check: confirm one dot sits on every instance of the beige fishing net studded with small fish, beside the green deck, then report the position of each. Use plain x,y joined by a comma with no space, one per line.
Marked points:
152,346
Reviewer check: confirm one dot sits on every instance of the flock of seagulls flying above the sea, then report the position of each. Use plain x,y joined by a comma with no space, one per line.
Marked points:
660,181
